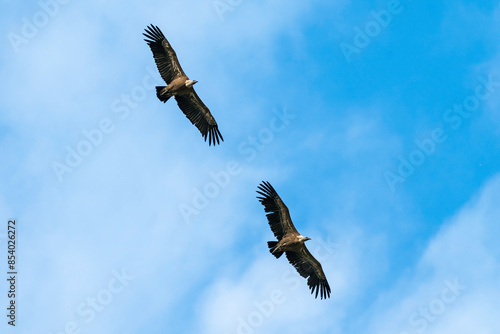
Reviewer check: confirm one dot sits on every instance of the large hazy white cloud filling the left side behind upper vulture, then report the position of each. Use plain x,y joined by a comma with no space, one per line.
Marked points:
120,207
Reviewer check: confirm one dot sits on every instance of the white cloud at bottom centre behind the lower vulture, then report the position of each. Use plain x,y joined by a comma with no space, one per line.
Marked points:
271,296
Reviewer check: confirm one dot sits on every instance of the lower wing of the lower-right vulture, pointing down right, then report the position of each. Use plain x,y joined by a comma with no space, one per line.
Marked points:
308,266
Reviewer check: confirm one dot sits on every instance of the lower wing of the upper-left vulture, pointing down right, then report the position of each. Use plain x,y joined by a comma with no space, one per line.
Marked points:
198,113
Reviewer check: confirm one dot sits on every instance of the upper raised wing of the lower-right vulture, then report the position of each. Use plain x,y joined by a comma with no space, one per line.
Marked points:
279,217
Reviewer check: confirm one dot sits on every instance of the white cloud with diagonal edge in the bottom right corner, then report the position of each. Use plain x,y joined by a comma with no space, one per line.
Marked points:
465,254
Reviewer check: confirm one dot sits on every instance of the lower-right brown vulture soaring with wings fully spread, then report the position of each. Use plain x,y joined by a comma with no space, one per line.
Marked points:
291,242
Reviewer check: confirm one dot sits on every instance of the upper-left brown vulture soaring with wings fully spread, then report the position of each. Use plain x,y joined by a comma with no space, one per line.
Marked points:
180,86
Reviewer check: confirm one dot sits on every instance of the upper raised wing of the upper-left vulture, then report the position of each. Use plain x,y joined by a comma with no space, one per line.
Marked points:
165,57
